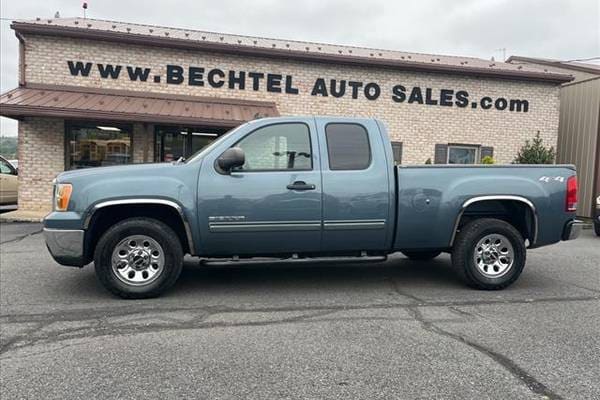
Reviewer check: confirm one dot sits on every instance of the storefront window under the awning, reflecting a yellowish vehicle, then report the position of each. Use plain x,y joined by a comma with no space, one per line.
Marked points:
98,145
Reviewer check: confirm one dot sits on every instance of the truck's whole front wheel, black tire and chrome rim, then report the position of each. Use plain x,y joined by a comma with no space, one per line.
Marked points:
138,258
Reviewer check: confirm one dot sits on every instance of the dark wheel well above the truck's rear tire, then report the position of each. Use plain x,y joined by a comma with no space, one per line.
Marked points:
517,213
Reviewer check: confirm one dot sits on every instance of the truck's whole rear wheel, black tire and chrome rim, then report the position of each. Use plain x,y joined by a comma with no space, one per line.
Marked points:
489,254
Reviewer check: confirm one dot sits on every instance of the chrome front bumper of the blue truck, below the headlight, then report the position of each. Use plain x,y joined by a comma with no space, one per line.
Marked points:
65,246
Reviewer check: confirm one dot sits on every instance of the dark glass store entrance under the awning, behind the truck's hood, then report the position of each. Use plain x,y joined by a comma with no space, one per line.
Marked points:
174,142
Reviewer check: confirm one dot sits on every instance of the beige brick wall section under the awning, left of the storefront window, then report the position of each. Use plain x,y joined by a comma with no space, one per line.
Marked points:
41,158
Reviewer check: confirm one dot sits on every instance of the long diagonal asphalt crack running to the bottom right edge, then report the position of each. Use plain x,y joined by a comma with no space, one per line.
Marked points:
509,365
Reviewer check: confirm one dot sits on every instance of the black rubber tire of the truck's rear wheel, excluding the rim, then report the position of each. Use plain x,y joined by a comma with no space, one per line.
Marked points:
465,246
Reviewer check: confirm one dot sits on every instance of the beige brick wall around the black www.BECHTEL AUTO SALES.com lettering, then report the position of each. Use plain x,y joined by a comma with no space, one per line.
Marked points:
419,127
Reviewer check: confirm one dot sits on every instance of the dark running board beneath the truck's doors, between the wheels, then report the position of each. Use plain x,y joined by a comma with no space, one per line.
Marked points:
229,262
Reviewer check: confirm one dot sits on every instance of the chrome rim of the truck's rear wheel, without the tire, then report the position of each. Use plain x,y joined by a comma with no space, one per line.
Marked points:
494,255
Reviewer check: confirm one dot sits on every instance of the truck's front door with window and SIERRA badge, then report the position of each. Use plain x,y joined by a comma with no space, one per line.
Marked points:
270,205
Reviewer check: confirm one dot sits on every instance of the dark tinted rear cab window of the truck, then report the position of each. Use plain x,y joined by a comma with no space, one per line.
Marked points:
348,146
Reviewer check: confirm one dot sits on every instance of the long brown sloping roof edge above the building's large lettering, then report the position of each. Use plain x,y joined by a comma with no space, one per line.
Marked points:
172,42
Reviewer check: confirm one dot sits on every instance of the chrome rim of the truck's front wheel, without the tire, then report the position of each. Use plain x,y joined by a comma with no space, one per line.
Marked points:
138,260
